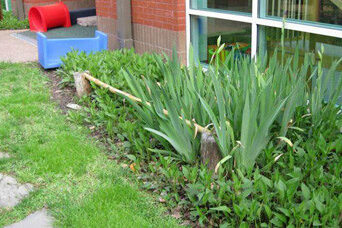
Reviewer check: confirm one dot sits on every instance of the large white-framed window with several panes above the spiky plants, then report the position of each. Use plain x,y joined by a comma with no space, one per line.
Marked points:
254,25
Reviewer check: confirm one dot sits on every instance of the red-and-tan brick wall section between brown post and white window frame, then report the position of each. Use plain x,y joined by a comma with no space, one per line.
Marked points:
159,25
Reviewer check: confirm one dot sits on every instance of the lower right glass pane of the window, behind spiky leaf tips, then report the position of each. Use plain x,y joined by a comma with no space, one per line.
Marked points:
270,39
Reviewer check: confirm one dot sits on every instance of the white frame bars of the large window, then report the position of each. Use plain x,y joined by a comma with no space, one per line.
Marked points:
255,20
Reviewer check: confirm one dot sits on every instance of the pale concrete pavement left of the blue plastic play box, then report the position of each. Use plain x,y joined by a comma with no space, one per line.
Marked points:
16,50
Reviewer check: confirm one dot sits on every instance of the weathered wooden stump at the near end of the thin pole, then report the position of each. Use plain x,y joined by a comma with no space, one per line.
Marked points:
210,153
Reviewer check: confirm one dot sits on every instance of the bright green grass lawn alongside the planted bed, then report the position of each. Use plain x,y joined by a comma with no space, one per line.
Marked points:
71,174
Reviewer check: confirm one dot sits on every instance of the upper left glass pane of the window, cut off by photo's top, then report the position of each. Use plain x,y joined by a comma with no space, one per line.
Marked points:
232,5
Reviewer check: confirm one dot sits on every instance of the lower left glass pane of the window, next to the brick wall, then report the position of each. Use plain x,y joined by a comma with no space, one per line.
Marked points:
205,32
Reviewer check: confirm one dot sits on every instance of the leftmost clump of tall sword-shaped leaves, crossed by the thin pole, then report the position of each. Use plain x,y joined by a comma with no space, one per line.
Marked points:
179,88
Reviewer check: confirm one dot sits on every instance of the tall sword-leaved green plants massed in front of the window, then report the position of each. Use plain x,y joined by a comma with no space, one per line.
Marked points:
246,104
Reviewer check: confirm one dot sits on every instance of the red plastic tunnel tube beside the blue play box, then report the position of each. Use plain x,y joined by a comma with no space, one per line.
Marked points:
42,18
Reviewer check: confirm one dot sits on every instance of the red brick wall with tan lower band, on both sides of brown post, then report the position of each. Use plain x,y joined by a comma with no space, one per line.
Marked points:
158,25
